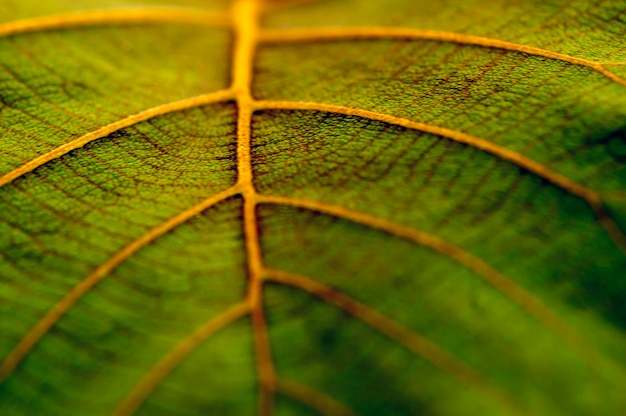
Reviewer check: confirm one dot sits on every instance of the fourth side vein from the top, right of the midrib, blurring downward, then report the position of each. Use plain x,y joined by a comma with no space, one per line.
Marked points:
416,343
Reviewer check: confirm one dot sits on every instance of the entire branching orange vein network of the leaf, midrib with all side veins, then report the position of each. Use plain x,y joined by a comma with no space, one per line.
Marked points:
244,19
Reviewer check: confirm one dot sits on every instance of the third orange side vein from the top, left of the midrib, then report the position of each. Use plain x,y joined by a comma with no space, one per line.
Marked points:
27,343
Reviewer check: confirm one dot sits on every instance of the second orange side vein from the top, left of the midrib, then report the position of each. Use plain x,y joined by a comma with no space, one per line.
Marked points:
102,132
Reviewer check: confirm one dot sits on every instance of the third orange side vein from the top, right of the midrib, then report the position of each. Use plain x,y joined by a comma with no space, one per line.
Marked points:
506,286
